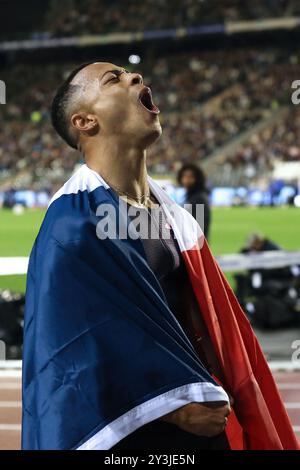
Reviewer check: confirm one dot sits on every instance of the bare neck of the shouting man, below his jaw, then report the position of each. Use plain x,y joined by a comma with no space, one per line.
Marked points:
122,167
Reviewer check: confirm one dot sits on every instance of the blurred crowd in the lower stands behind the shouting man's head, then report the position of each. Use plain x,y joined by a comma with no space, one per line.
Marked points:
207,100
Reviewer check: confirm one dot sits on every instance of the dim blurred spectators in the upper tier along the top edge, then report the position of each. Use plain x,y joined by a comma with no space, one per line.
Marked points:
108,16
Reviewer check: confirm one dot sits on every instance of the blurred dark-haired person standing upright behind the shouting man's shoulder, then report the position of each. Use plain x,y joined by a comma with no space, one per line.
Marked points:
193,179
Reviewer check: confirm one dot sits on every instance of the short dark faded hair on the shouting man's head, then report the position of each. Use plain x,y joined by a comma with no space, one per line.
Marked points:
61,104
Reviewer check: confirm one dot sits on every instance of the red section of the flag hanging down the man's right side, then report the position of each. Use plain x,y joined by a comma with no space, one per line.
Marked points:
259,421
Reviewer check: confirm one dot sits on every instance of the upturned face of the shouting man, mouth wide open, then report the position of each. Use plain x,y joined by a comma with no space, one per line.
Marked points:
120,102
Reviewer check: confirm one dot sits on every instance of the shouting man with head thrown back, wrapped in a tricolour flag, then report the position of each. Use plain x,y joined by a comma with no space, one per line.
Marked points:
133,338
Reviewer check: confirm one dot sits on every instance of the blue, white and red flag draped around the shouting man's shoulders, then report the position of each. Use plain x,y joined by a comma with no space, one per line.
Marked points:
104,355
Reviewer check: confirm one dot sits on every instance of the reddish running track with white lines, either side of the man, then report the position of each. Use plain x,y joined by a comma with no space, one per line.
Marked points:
10,406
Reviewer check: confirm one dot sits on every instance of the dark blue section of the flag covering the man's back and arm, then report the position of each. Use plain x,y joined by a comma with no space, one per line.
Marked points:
99,336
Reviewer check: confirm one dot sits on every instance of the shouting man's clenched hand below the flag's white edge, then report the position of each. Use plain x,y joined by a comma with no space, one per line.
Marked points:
203,419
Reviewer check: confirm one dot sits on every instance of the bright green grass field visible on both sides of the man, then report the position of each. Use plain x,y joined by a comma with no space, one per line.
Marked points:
230,227
